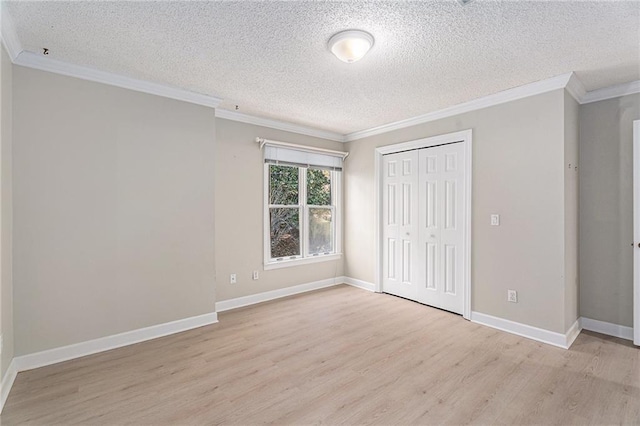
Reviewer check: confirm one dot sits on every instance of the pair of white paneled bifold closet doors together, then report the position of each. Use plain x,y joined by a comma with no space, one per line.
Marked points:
423,225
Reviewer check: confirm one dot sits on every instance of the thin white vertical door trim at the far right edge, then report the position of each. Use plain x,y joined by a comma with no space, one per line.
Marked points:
636,232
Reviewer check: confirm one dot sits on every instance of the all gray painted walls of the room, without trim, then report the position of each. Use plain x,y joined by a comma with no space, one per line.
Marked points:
115,226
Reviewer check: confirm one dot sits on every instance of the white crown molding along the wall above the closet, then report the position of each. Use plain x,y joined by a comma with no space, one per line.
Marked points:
536,88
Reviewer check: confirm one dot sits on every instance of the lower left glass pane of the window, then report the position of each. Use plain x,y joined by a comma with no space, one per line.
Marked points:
285,232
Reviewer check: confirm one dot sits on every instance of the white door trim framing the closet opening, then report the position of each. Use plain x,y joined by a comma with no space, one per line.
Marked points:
465,137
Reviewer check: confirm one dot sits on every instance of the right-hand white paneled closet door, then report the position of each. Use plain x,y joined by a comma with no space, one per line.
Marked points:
441,222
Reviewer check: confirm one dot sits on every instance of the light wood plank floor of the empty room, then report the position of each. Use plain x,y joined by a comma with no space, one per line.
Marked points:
338,356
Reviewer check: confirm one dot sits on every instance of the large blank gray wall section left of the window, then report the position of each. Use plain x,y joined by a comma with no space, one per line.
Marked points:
113,210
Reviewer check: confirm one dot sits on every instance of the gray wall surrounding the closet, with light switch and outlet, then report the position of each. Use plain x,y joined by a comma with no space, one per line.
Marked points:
518,172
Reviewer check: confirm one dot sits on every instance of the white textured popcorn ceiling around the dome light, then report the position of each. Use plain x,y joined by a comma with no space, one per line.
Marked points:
271,58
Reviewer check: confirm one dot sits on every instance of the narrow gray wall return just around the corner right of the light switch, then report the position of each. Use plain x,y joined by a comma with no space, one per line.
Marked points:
571,136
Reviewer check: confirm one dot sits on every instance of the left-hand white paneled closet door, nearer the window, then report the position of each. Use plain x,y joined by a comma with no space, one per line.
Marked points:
400,270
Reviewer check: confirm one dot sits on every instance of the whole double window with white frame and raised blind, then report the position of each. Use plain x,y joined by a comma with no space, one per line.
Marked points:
301,209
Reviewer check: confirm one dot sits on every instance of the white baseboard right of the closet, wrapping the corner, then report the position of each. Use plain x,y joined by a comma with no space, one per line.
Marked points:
530,332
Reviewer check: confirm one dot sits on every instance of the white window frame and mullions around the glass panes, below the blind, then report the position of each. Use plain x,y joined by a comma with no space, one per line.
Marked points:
304,257
